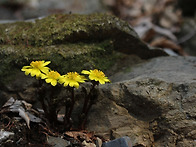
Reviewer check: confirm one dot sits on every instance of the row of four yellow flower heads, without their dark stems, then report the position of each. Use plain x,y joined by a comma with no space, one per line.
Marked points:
72,79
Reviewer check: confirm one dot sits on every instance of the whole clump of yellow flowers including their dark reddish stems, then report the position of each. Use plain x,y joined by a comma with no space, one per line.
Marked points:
40,70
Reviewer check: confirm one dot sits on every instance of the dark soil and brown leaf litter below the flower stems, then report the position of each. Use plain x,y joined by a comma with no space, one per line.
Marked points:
38,133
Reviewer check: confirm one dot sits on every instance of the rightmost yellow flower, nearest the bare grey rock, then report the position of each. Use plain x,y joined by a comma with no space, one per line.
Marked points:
96,75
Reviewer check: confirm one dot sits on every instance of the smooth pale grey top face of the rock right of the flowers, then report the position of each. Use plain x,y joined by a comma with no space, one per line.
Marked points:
171,69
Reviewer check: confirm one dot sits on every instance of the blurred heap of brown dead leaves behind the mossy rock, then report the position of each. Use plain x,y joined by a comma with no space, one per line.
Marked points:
153,20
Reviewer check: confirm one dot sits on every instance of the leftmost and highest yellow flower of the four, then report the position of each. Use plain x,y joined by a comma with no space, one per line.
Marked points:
36,68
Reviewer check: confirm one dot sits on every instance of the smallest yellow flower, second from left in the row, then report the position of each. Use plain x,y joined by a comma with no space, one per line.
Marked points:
51,77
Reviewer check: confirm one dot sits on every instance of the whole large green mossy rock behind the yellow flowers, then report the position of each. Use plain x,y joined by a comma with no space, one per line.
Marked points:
72,42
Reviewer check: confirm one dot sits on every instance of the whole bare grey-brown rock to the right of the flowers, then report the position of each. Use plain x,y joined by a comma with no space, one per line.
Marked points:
154,104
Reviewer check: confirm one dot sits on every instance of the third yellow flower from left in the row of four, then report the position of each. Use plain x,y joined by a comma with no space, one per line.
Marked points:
72,79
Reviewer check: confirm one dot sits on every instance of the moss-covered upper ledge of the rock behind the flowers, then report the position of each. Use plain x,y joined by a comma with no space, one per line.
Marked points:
61,28
